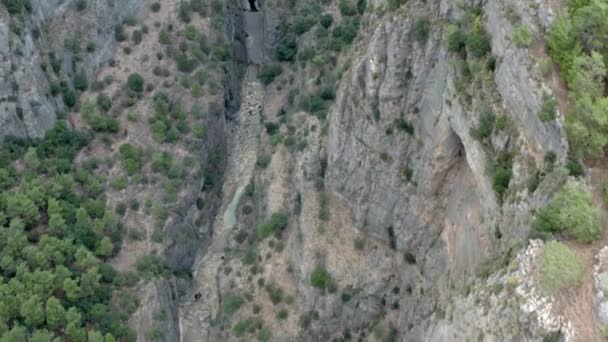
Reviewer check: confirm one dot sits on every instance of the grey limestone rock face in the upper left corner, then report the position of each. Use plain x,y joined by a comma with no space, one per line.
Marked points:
27,109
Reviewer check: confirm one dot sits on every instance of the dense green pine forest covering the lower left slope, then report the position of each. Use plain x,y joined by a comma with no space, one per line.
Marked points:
56,234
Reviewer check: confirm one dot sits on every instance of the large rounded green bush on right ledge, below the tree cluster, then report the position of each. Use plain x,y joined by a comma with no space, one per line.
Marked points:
572,212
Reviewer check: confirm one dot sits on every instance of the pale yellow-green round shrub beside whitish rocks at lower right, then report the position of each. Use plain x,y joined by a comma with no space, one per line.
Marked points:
560,267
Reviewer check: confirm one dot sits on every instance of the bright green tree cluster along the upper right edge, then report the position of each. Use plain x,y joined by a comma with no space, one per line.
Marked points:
578,42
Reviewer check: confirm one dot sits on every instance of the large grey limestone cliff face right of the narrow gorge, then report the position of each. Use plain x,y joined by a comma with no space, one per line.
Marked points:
431,189
